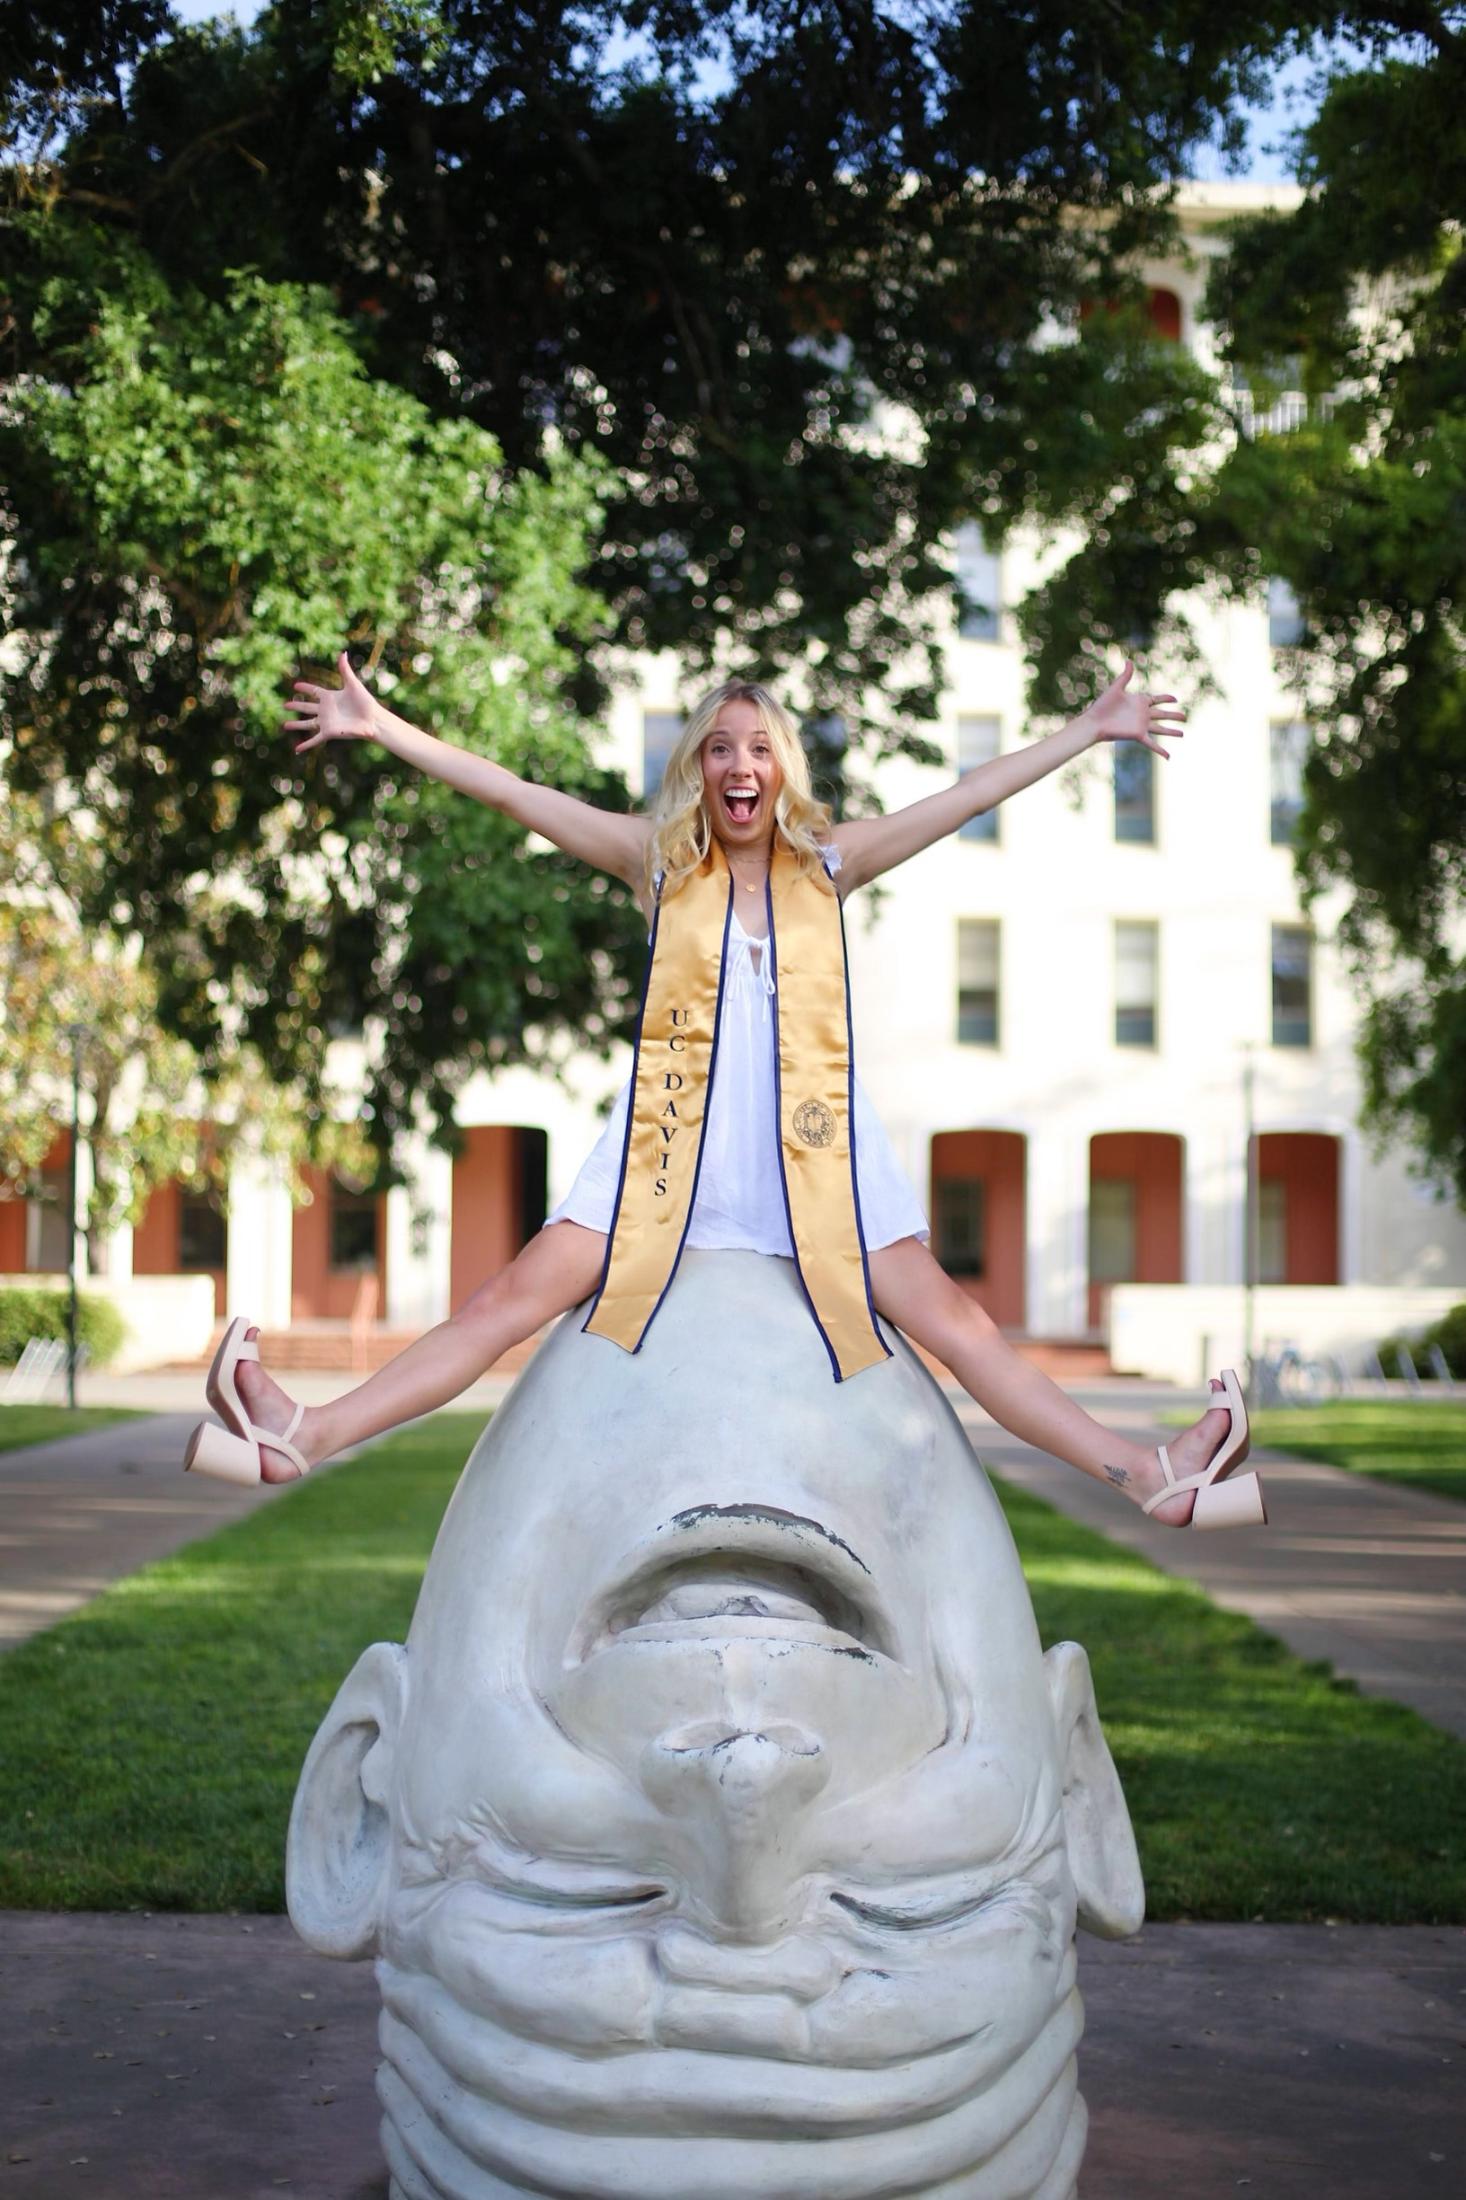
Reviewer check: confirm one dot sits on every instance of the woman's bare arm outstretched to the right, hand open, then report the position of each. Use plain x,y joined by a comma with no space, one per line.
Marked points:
1122,714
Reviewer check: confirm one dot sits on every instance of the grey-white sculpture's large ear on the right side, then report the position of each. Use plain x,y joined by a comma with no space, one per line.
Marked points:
1095,1818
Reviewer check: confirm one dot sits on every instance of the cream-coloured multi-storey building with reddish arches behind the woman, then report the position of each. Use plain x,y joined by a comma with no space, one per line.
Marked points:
1069,1015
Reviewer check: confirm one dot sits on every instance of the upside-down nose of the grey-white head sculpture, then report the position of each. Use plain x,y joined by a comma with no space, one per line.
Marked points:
741,1796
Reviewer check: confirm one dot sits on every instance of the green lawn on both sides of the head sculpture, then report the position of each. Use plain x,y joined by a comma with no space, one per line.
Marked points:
164,1726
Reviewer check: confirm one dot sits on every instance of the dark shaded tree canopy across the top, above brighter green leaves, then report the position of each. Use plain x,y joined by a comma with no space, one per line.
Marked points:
708,243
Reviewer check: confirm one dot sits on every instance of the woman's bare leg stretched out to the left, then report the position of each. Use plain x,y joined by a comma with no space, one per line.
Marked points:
551,1275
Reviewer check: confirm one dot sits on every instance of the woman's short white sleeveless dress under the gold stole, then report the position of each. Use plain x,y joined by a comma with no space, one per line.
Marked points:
741,1191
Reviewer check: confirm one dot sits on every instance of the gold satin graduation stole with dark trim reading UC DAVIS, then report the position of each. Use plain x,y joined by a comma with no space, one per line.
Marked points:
672,1086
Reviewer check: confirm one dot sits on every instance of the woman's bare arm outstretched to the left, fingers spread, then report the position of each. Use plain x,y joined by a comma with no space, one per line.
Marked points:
604,839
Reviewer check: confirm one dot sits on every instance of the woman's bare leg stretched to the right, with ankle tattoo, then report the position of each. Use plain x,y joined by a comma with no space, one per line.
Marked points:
921,1299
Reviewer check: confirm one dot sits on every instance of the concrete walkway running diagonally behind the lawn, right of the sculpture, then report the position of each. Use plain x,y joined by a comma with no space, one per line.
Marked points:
1364,1574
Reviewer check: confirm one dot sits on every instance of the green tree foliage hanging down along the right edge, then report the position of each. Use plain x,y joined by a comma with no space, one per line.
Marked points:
1361,300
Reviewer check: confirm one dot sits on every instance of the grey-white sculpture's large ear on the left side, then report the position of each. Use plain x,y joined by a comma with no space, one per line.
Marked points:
340,1842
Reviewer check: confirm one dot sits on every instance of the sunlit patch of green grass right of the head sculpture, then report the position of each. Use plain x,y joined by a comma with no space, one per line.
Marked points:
1258,1783
